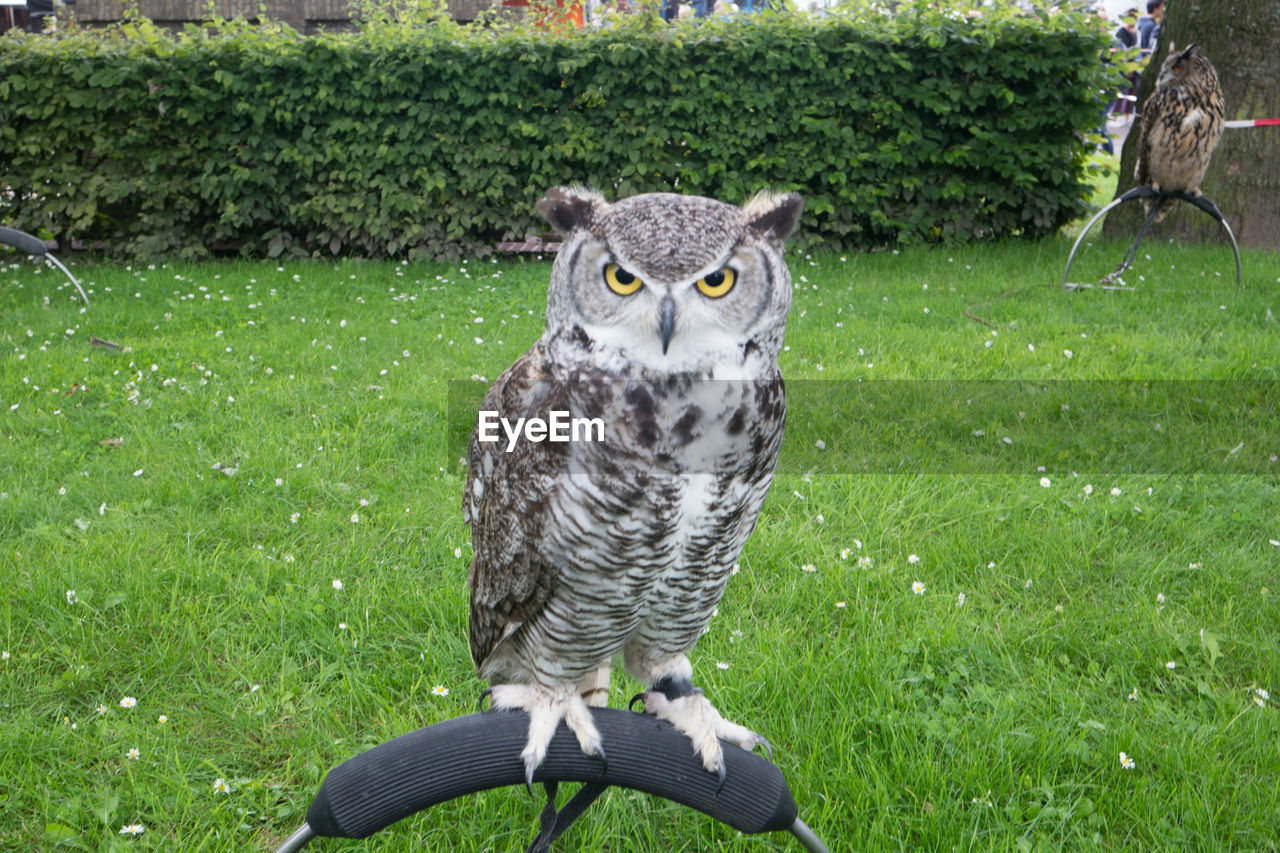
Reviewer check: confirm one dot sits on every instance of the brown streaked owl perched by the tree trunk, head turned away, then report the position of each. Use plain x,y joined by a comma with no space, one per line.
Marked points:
1182,124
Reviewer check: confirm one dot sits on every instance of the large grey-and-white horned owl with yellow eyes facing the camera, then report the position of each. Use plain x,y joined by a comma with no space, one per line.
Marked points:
665,322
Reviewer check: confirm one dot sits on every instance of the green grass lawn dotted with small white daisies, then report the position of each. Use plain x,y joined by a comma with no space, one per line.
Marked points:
249,521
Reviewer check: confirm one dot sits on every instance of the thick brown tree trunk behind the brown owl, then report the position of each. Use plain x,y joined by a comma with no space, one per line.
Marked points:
1240,38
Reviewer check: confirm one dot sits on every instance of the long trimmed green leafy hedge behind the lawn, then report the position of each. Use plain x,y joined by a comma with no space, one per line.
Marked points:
927,126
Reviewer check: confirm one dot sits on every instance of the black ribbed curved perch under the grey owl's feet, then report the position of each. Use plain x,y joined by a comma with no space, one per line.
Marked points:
481,751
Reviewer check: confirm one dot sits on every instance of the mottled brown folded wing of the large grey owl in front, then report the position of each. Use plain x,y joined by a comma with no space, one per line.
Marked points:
506,503
